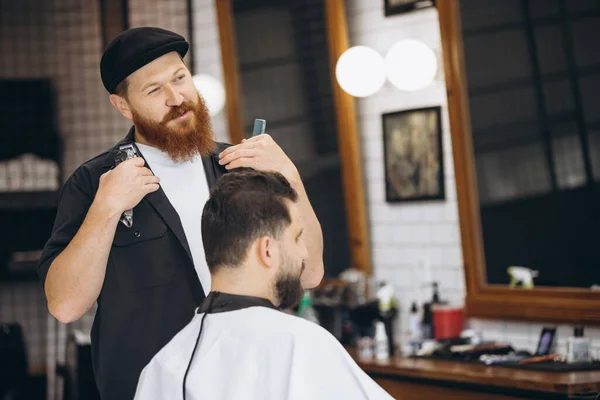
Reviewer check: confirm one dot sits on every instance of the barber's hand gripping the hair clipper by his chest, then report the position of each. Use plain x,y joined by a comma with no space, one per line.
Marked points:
125,186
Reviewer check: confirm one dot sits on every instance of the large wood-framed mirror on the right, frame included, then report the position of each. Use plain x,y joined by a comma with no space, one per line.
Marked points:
523,79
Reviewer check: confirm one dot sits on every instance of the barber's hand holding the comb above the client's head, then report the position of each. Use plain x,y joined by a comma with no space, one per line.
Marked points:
260,153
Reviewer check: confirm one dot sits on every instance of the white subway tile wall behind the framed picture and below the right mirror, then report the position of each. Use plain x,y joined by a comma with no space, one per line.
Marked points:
407,237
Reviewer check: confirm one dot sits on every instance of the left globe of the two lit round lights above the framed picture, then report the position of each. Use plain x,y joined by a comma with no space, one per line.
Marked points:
360,71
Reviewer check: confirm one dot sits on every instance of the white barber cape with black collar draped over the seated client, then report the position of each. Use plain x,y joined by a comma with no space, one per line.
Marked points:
248,350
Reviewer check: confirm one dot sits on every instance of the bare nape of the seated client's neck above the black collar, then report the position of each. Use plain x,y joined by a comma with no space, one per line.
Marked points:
242,284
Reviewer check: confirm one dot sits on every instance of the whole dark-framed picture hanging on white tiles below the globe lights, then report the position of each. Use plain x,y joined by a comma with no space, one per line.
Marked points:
413,157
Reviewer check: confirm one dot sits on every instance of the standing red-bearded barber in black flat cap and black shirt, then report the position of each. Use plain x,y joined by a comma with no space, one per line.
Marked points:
127,234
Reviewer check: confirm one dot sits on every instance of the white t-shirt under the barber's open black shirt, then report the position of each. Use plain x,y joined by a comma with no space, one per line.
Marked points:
186,187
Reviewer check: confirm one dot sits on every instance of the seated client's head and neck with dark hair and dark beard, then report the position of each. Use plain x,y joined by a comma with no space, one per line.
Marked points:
252,233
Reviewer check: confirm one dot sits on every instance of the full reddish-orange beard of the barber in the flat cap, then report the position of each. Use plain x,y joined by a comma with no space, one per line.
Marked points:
181,140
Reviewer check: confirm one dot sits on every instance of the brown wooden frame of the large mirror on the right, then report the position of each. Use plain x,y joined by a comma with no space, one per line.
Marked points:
565,305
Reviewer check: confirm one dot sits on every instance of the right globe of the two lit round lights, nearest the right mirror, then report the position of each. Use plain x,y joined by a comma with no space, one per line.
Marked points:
410,65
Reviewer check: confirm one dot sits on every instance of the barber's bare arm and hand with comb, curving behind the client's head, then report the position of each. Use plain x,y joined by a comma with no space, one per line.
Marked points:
262,153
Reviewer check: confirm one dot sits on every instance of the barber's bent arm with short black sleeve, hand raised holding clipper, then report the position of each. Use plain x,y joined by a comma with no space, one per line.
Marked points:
73,264
